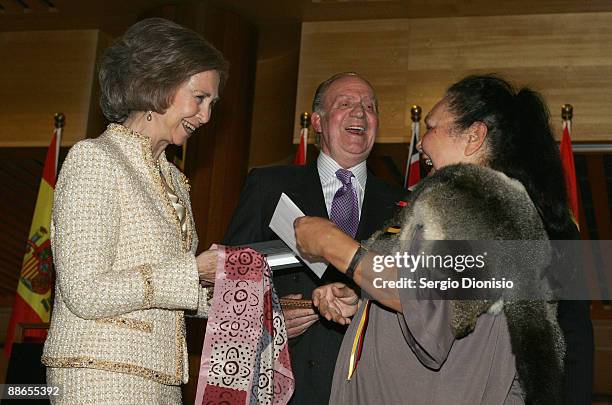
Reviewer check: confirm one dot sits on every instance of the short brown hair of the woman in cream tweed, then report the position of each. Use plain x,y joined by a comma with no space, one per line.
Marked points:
143,69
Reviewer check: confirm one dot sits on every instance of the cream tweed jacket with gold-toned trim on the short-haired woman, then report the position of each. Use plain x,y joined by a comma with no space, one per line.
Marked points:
126,271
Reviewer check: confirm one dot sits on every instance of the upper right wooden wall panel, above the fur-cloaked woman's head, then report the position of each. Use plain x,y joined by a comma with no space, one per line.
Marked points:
511,41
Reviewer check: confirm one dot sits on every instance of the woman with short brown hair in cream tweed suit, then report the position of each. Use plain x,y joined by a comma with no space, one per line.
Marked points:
123,233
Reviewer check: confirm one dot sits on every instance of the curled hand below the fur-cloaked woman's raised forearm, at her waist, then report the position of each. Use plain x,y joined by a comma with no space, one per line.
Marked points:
336,302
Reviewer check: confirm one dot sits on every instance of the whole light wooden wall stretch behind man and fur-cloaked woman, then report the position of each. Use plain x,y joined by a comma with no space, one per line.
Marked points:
567,57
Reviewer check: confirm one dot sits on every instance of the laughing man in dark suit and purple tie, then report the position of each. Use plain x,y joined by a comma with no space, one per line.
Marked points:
345,116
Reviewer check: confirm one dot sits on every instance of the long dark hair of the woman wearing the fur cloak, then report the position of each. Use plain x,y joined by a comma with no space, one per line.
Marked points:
520,142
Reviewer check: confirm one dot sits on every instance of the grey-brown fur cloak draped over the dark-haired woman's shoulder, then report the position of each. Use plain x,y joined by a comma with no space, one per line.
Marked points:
468,202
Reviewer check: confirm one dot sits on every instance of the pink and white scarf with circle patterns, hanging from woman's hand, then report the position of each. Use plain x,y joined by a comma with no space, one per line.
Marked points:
245,358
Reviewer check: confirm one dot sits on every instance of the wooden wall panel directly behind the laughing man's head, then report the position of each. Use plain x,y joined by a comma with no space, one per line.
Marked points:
376,49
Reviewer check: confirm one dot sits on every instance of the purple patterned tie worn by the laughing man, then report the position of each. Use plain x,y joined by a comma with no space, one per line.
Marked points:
345,209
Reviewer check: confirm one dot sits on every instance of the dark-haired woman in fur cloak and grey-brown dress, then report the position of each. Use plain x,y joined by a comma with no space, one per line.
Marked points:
492,150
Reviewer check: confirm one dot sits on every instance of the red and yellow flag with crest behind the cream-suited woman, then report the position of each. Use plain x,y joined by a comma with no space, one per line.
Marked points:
33,298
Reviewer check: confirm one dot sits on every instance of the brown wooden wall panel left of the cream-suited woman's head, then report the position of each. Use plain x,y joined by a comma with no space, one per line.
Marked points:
44,72
